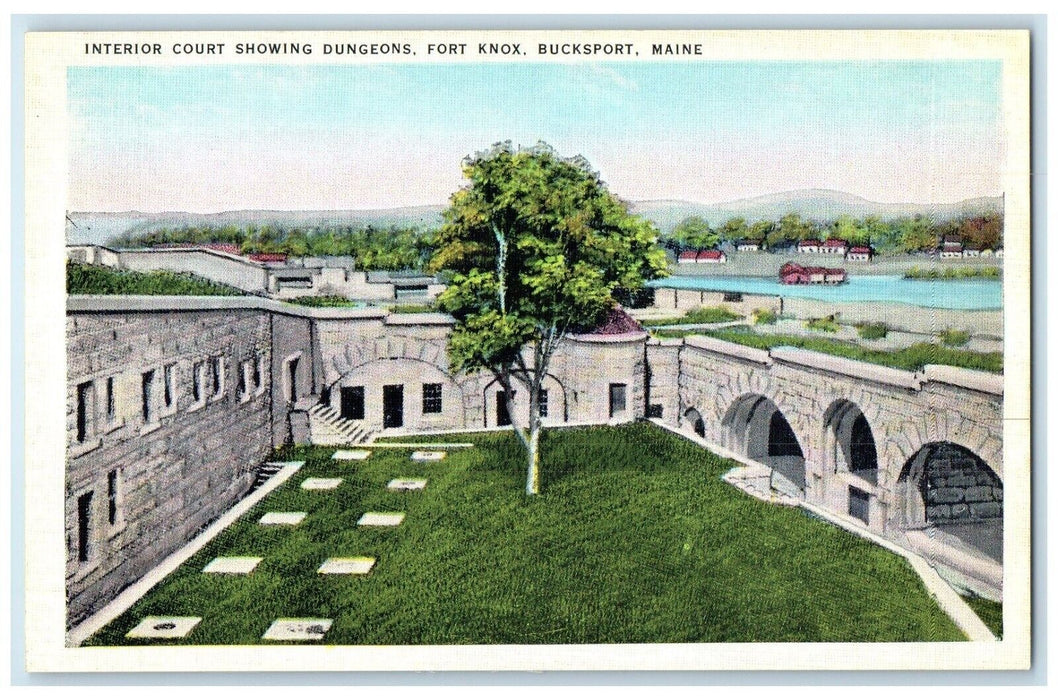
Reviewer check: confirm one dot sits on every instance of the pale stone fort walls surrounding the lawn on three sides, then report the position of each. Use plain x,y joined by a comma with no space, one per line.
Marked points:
174,403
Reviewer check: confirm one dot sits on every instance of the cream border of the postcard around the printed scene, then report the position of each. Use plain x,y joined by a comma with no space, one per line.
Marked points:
47,59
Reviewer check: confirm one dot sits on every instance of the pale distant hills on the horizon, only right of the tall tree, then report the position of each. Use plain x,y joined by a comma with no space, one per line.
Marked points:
813,205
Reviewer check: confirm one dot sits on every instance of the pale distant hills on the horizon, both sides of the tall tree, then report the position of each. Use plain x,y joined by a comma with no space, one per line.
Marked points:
814,205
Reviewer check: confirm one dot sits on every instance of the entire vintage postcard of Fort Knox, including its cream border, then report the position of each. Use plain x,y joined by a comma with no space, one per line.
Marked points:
527,351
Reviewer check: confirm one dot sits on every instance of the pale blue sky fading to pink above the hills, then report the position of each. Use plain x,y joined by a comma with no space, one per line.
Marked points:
224,138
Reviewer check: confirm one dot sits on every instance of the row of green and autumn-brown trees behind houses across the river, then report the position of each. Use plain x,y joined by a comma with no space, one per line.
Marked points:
888,237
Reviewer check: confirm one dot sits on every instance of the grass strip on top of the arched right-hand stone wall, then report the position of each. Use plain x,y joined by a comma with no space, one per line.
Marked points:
913,358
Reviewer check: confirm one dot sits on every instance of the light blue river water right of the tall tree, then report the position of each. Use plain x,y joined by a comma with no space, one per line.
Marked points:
964,294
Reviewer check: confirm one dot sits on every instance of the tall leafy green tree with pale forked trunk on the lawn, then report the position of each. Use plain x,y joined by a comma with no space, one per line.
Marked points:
537,248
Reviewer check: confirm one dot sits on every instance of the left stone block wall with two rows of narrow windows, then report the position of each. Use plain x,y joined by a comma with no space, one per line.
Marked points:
143,480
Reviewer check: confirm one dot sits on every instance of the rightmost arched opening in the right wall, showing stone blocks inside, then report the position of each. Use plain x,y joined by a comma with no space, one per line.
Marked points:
948,489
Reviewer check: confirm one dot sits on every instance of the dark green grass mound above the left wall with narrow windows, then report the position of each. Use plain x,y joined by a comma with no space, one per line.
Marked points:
97,280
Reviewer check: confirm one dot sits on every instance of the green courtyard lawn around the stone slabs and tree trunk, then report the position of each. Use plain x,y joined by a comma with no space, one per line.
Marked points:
634,540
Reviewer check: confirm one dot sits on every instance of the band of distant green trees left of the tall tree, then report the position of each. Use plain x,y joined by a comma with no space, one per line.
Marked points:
375,248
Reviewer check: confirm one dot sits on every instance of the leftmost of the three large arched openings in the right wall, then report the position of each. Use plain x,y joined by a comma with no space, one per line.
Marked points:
756,428
